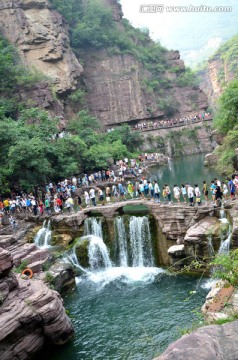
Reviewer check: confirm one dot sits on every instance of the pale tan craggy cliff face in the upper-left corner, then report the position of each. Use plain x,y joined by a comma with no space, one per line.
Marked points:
42,40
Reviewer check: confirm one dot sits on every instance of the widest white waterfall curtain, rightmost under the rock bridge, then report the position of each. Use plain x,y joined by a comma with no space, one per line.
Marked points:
140,242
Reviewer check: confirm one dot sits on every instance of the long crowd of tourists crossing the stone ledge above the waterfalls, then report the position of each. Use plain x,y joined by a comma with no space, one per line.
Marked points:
74,194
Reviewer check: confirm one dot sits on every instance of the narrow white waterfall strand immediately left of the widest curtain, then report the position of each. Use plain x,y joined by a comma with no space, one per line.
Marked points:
122,241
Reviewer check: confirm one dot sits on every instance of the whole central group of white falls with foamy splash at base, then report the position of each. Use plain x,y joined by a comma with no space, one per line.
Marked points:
134,252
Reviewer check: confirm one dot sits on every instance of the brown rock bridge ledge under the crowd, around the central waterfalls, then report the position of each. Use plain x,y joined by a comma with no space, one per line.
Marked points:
169,223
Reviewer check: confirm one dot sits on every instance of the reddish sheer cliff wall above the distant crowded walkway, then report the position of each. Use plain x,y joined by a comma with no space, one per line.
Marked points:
116,93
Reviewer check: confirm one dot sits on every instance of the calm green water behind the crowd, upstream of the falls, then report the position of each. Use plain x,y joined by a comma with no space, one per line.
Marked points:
184,170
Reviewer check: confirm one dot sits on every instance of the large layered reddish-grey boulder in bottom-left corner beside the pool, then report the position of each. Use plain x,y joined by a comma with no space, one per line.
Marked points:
30,313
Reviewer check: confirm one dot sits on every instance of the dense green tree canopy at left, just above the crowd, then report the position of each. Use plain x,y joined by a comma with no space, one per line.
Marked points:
30,154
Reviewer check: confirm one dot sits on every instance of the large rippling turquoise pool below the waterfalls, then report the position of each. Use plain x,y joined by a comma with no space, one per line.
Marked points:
130,321
